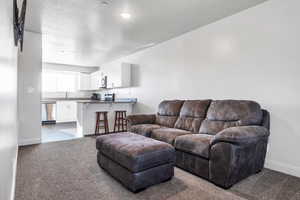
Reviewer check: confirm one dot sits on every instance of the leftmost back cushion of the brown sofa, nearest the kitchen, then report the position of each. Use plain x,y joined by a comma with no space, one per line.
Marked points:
168,112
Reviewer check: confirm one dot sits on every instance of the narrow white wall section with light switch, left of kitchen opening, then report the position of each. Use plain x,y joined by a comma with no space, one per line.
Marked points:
29,89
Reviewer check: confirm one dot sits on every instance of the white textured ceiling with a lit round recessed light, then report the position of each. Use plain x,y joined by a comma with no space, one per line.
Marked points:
86,32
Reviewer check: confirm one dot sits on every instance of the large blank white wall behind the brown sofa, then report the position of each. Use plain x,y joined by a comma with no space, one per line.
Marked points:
252,55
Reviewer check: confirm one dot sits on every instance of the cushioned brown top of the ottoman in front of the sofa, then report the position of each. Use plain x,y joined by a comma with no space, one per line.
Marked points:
135,152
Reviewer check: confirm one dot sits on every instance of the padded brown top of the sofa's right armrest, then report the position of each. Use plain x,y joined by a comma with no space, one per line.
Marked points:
241,135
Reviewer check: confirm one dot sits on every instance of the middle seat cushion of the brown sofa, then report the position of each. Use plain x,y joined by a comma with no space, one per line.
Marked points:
168,134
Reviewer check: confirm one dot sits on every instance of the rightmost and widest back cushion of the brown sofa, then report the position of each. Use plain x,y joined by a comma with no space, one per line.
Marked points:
223,114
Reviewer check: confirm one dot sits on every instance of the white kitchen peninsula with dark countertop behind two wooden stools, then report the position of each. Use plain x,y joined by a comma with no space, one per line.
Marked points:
86,113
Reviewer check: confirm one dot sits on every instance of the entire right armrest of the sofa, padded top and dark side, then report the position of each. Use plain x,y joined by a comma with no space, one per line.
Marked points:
236,153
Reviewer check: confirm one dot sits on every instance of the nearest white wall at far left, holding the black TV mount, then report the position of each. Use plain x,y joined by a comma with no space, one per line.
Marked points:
8,103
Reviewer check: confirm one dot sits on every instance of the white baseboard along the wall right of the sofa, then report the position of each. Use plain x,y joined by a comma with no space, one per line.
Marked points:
283,167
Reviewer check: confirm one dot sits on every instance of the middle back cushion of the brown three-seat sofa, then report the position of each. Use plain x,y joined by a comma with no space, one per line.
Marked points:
192,113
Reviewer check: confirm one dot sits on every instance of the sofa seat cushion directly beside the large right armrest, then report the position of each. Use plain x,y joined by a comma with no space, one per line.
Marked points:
197,144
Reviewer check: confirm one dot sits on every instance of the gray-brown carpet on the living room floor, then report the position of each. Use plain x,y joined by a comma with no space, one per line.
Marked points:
68,171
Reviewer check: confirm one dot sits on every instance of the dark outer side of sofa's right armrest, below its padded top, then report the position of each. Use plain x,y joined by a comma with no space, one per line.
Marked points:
229,163
